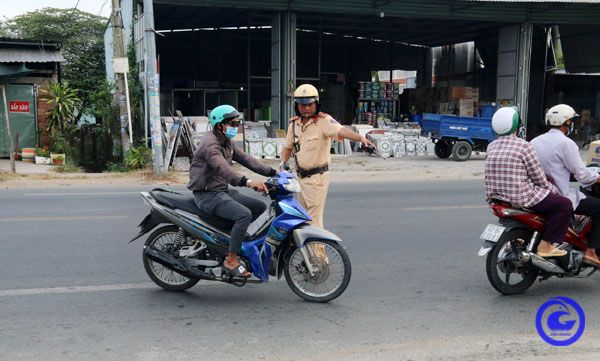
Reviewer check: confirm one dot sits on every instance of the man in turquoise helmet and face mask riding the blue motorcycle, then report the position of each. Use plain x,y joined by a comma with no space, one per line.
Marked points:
211,173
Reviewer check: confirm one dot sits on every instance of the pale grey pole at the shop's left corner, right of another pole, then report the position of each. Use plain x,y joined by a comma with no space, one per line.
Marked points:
153,89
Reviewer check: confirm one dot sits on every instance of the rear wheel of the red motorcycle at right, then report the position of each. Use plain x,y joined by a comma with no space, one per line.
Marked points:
500,270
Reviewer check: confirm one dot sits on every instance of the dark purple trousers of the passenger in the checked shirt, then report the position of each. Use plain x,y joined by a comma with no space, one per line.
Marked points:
558,209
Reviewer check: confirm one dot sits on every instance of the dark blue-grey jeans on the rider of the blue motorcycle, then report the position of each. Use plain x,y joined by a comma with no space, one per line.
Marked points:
234,206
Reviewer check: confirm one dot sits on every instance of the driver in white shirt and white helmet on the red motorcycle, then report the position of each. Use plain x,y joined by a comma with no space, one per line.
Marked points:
560,158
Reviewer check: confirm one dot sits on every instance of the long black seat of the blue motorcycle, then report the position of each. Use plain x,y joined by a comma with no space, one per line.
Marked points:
186,202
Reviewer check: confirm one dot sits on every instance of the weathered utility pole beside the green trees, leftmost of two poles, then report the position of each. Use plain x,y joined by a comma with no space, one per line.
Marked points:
119,52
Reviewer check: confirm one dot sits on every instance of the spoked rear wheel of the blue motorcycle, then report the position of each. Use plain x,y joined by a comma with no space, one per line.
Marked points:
159,274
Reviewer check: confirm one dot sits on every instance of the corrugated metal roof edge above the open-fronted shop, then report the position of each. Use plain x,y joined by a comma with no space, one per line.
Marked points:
517,12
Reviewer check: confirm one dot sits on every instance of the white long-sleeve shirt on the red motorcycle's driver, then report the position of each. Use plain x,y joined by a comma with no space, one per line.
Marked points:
559,156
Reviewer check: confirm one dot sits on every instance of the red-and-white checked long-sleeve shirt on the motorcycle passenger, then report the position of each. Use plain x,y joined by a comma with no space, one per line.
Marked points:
514,174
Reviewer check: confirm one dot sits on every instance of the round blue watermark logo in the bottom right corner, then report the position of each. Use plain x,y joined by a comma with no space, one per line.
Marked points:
560,321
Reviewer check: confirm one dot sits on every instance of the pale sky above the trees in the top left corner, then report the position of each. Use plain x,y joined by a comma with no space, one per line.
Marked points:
12,8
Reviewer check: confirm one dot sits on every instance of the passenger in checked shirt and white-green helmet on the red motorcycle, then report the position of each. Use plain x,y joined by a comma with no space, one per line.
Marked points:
514,174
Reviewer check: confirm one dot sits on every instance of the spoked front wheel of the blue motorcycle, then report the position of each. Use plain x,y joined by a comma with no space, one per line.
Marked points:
332,266
